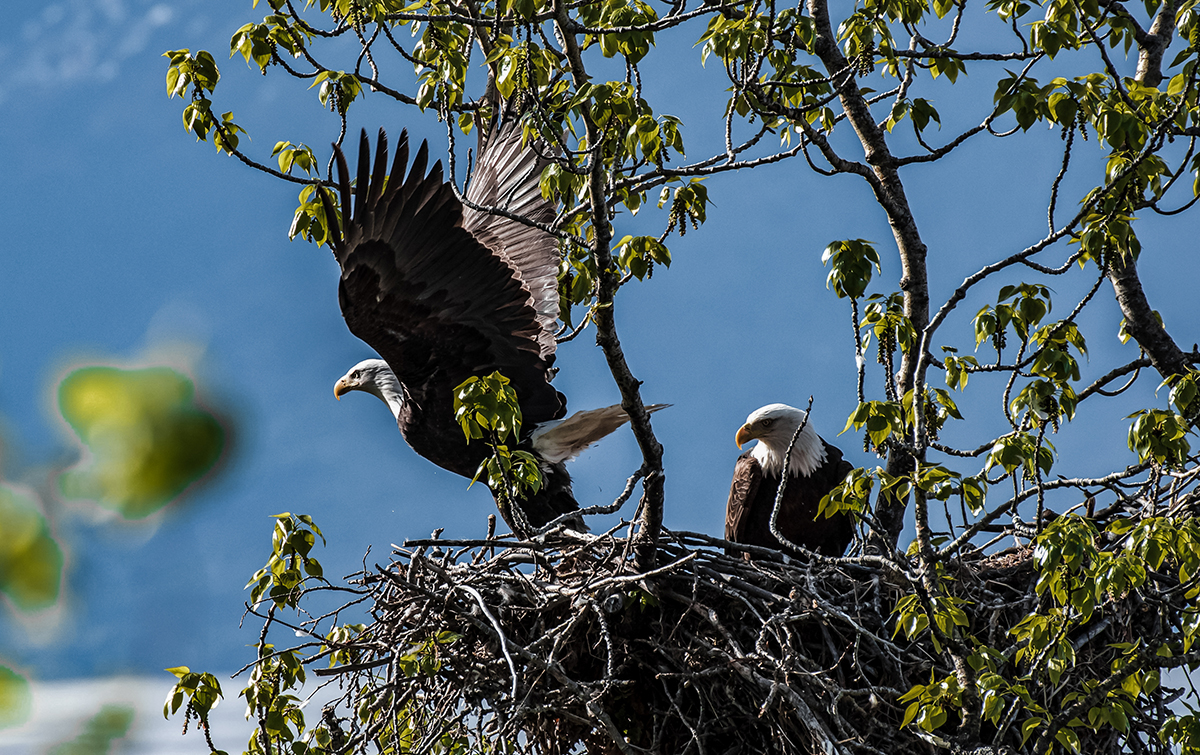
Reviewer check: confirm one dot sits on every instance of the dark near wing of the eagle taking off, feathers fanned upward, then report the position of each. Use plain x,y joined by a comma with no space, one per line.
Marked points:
428,296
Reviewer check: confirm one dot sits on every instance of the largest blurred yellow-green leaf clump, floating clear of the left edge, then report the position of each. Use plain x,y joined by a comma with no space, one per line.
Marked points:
148,439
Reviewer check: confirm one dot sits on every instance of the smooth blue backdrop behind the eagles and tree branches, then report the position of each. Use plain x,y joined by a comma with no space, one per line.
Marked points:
128,243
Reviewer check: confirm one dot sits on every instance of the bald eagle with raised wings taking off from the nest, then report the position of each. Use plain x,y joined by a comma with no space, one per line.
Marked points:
445,292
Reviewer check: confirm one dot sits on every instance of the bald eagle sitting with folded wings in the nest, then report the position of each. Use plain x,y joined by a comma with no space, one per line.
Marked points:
815,469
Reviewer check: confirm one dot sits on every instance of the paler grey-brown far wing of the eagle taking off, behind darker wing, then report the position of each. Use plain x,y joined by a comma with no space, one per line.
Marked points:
508,176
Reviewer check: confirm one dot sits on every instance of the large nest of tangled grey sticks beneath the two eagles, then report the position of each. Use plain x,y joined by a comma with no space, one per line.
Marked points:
562,646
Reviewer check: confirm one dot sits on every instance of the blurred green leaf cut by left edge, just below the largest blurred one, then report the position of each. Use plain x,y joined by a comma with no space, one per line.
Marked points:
31,560
